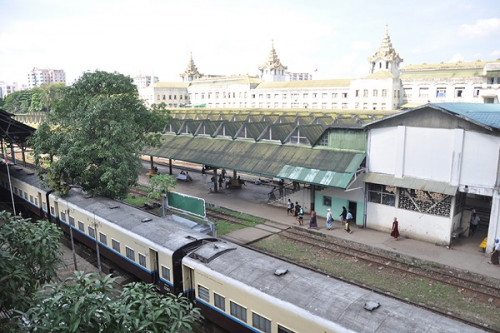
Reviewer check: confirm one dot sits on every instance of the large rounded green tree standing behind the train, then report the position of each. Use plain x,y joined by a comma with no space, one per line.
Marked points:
101,126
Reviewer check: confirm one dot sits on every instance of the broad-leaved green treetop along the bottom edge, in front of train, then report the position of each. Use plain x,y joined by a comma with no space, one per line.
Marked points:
90,303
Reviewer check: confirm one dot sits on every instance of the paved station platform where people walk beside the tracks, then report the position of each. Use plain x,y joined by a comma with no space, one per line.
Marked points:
252,199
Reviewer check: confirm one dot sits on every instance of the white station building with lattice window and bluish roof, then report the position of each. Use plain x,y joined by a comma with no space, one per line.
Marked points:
430,166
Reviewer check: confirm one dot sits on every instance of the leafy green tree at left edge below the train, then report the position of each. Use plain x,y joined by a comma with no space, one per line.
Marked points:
29,255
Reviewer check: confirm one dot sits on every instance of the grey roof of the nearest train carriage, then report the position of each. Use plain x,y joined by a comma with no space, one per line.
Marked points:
328,298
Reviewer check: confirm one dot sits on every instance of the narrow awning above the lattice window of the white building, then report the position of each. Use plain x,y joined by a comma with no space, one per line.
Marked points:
410,182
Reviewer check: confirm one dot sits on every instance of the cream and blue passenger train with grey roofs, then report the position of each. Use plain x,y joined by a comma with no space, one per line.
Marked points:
239,289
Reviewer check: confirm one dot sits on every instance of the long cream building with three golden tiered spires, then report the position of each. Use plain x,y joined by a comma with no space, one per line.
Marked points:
386,87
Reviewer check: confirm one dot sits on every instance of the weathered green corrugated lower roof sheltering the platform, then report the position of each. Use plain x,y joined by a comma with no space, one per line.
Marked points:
262,158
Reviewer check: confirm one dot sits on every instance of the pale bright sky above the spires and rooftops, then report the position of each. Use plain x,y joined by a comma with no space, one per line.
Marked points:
330,39
